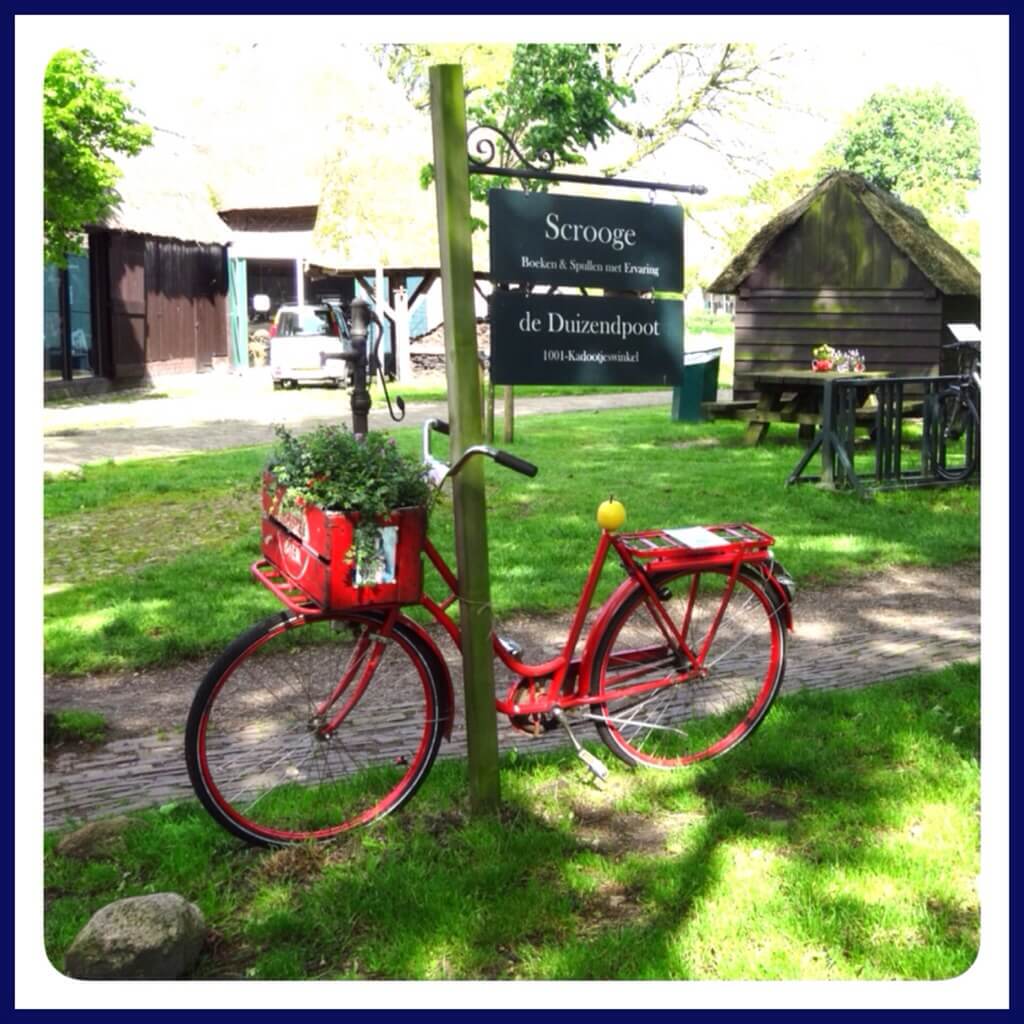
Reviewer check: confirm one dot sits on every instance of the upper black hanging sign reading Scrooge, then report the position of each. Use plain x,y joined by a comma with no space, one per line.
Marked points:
571,240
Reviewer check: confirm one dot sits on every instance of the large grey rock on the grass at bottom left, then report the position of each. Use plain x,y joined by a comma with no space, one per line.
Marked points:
156,937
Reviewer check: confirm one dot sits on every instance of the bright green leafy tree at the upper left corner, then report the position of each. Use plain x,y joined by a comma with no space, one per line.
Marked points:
87,121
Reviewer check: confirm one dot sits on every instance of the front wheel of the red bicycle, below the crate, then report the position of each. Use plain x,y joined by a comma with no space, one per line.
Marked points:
307,728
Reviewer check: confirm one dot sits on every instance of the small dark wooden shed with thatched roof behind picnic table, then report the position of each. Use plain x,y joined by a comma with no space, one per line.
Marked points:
851,267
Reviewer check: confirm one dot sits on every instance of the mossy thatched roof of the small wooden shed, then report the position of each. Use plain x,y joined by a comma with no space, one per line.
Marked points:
944,265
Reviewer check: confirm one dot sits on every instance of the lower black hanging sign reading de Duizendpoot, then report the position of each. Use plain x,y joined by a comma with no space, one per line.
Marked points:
560,339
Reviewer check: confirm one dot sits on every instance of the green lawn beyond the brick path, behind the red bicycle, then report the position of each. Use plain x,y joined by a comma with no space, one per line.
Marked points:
148,563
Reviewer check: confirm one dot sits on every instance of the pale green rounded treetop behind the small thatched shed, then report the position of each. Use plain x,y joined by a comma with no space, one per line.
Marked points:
921,145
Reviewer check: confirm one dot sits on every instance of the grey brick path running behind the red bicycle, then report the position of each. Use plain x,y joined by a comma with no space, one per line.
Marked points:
892,625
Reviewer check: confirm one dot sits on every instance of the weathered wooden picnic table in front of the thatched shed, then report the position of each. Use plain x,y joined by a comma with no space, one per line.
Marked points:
792,397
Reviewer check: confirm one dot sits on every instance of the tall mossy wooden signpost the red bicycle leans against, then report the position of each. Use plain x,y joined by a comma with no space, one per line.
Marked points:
448,112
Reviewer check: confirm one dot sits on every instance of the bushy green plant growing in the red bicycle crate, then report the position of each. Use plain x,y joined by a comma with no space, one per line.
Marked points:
338,472
